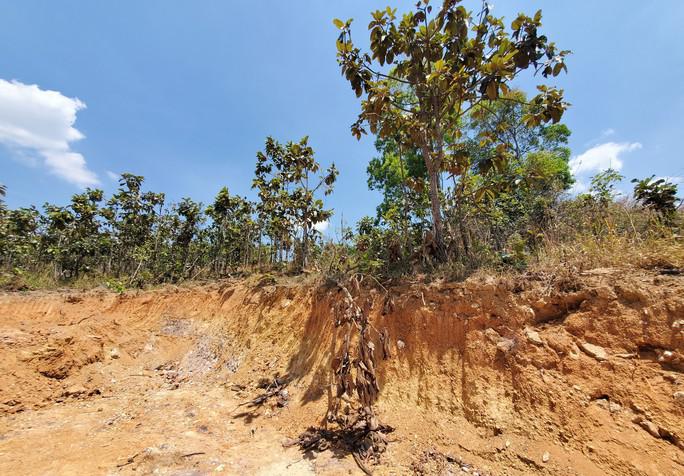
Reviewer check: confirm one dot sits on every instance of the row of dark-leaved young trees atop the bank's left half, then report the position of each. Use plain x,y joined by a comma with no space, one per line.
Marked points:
135,237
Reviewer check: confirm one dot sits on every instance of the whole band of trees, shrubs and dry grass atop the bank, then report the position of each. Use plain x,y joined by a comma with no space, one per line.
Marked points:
473,174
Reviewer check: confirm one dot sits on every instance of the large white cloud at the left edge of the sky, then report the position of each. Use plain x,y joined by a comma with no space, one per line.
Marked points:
34,120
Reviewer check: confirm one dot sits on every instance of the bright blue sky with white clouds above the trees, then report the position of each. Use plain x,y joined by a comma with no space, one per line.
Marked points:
185,92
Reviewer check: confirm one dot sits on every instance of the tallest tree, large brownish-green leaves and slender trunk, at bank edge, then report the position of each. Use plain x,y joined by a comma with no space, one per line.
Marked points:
451,62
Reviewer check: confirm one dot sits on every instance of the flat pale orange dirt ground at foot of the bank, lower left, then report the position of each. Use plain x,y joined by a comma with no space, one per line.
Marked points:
141,429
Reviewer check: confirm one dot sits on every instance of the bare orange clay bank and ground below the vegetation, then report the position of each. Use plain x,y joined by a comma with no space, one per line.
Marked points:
487,377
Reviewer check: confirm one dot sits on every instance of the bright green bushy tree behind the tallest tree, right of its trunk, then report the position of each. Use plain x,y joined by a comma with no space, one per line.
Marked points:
526,186
